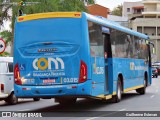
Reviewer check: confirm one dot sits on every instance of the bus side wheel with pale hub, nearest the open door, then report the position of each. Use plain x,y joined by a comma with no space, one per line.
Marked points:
117,98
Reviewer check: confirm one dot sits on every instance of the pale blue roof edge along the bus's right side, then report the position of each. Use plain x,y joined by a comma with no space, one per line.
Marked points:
114,25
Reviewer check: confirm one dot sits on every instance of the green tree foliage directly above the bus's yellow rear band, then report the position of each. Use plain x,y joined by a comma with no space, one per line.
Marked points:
41,6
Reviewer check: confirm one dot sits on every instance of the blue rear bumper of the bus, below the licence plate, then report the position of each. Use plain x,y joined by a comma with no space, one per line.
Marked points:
53,90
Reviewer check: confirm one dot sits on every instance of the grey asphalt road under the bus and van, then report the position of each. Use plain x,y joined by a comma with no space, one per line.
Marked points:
102,110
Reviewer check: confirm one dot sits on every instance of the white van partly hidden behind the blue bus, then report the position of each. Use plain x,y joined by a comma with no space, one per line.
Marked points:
7,81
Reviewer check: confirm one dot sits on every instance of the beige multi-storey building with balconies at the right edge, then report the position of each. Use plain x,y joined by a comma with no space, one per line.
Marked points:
147,21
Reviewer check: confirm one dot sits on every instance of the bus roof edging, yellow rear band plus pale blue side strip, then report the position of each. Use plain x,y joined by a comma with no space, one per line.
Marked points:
98,20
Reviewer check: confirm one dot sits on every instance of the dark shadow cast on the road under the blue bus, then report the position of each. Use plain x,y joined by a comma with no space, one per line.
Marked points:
85,104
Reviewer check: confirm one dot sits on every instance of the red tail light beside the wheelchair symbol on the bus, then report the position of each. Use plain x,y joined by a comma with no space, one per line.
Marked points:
17,75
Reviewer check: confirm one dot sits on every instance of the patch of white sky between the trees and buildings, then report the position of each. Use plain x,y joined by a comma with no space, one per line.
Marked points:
113,3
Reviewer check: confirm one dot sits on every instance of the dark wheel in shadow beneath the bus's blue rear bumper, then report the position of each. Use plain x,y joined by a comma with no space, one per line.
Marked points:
66,101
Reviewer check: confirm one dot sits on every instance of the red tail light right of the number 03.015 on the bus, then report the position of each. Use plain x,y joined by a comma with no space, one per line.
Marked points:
83,72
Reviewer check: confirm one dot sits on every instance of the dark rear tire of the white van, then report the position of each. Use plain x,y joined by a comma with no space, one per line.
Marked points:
12,99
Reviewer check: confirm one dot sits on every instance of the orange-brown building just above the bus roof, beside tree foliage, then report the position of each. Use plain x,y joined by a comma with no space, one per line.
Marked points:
98,10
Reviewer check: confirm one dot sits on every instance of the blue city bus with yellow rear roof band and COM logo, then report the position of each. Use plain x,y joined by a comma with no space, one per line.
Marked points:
70,55
